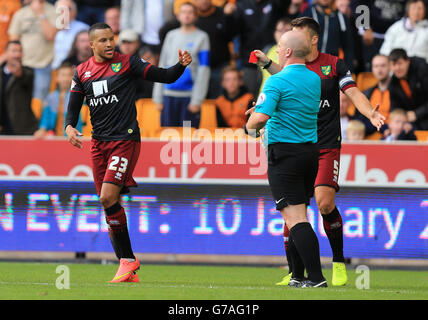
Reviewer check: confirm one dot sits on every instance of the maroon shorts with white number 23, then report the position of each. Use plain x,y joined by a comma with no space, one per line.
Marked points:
114,162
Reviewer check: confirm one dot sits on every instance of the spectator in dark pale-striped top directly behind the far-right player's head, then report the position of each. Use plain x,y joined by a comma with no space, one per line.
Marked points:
336,32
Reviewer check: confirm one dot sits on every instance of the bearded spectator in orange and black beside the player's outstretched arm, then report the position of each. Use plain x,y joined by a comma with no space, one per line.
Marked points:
379,94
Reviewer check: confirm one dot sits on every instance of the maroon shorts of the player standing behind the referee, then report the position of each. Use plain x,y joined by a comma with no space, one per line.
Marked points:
328,168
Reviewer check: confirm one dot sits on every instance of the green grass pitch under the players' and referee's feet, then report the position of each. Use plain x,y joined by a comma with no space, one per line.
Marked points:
159,282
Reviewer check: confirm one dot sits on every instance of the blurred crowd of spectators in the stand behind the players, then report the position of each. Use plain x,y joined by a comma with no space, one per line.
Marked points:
42,41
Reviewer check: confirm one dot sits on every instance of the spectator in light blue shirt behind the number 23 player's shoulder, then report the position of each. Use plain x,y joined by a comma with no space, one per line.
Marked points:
65,37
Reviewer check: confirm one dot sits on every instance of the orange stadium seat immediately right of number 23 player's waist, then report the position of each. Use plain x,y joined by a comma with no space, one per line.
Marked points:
148,117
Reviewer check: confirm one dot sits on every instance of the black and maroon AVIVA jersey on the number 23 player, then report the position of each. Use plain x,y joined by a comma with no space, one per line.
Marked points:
109,88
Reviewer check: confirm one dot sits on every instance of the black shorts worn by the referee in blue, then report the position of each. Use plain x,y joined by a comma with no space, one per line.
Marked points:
292,169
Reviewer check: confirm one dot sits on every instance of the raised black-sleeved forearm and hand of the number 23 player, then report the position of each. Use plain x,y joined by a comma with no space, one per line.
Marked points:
171,74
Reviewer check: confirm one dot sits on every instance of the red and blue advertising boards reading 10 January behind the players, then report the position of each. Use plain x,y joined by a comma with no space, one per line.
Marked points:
206,201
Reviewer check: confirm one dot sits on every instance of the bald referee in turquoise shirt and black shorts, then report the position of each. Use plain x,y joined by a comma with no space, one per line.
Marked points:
289,106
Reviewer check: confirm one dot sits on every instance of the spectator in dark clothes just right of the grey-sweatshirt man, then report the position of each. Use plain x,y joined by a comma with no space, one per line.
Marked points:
213,21
